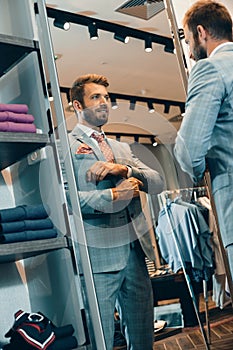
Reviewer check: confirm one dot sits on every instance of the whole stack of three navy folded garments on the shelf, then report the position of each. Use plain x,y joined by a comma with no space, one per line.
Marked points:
26,223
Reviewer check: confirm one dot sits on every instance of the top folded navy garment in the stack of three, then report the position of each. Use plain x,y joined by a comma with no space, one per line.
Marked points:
23,212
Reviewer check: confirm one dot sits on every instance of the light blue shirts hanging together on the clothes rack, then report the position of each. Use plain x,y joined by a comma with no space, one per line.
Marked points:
183,238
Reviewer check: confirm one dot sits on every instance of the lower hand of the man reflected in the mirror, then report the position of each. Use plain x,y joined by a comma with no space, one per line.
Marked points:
127,189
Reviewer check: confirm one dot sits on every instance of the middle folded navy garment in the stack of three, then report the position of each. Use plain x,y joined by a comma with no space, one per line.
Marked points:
24,225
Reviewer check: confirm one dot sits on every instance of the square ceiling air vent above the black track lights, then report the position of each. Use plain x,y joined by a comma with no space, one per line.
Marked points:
141,8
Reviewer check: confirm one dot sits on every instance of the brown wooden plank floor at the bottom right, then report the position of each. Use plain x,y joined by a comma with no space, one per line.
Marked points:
221,334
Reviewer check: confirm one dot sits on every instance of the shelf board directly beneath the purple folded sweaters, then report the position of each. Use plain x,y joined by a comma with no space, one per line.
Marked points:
15,146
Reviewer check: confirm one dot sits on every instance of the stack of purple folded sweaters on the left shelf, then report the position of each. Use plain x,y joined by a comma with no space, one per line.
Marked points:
15,118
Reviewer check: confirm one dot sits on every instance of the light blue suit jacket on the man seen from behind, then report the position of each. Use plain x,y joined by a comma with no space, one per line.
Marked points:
206,132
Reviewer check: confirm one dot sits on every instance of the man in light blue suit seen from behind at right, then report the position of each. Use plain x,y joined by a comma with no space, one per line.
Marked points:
206,133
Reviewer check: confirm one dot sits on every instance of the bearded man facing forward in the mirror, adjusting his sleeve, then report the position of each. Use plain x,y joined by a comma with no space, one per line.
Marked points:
109,181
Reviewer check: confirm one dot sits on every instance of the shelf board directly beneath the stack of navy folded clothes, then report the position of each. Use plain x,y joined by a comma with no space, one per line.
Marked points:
21,250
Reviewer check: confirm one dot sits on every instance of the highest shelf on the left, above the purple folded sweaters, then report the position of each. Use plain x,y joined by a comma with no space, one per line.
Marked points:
13,50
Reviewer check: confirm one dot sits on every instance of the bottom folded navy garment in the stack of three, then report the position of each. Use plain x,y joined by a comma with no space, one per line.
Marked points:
27,235
